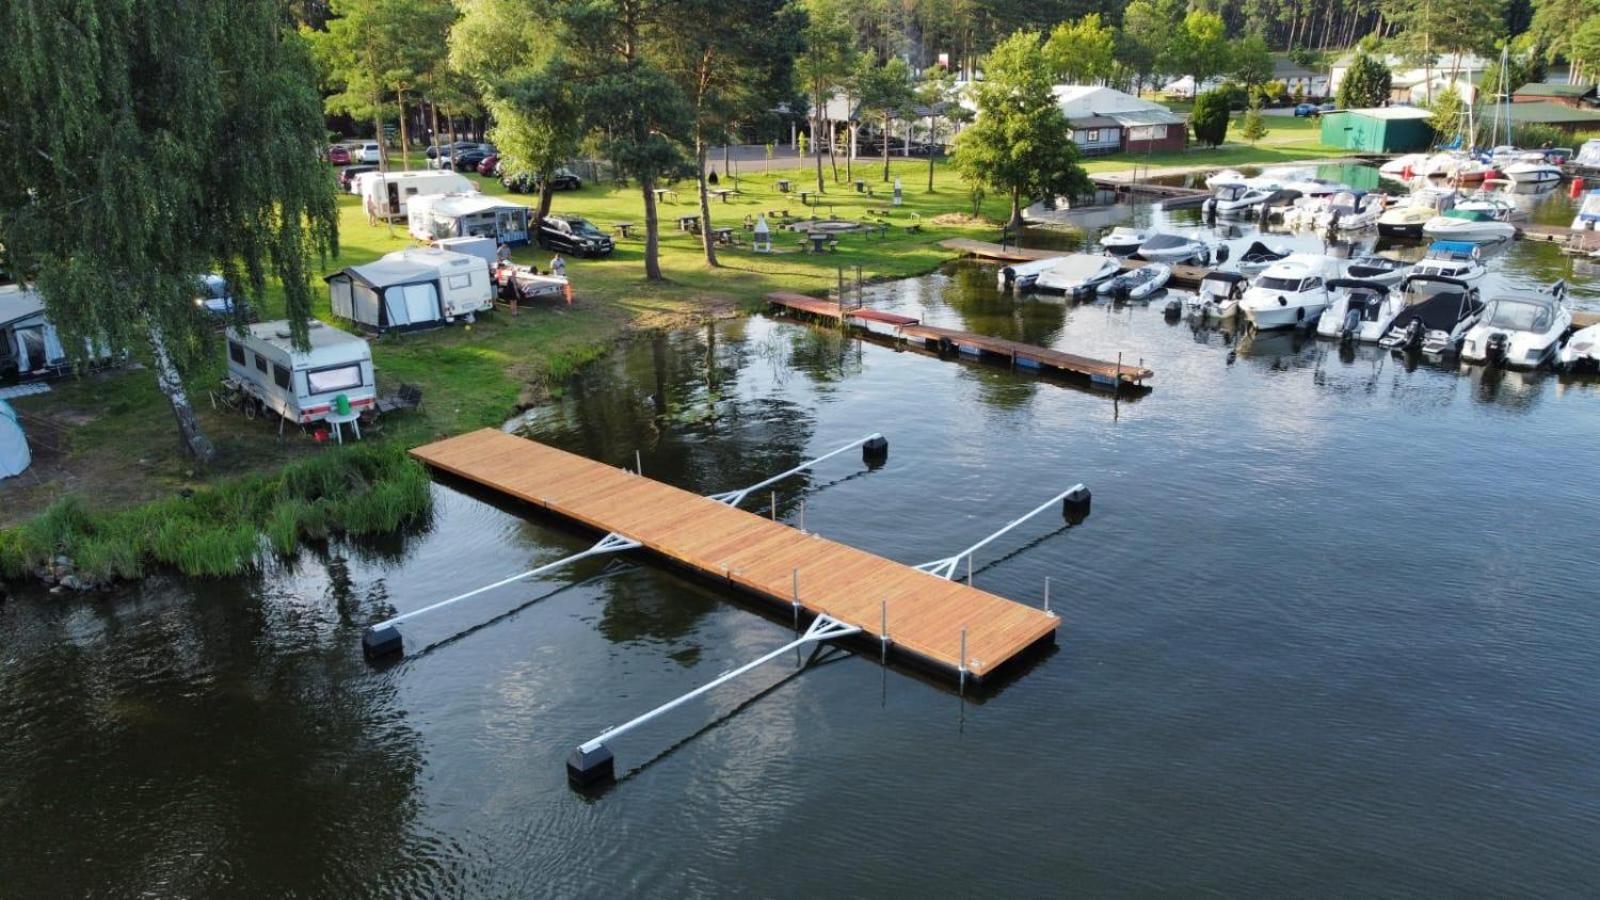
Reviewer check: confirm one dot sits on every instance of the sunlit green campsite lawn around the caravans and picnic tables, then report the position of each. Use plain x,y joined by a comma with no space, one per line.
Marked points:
111,438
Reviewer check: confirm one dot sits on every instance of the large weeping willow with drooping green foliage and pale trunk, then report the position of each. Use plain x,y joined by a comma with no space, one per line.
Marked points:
145,143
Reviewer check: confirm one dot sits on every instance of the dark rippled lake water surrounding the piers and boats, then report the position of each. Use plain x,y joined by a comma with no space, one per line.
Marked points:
1330,630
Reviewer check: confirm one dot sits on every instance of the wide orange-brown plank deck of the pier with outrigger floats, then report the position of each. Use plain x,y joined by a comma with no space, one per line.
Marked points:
926,614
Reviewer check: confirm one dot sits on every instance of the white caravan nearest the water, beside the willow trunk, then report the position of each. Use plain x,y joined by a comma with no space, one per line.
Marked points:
303,387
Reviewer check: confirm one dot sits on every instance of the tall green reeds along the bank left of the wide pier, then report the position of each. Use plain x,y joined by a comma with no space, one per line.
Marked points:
230,528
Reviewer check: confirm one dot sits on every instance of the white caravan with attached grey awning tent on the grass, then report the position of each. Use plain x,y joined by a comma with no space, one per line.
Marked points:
412,289
